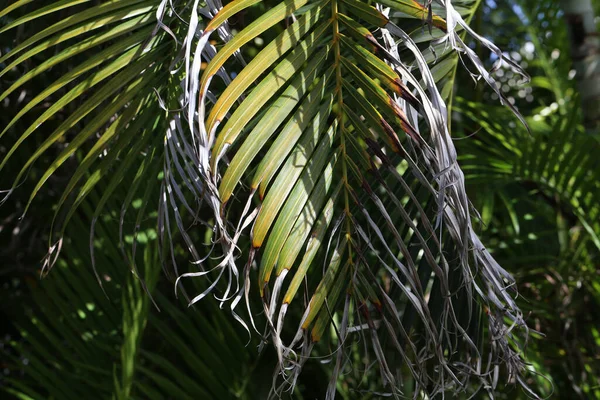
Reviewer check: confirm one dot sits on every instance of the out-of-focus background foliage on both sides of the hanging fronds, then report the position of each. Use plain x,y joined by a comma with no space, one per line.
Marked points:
537,194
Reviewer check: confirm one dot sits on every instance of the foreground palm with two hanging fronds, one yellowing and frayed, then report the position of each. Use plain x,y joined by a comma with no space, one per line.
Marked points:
290,164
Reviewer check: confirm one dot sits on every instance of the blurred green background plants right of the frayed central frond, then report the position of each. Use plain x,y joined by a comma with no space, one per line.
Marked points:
538,194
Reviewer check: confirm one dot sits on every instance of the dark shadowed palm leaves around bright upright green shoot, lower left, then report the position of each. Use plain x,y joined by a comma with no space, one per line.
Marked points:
103,344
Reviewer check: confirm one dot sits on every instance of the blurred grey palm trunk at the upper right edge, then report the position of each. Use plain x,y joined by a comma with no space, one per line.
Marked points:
585,52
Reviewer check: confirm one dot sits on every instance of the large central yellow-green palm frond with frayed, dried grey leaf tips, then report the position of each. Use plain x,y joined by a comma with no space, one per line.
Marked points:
318,141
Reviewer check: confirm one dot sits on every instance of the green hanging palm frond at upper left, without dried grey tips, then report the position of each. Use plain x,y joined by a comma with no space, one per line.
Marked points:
114,89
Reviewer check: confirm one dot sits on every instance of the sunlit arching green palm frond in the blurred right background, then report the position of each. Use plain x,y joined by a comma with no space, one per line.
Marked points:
557,162
